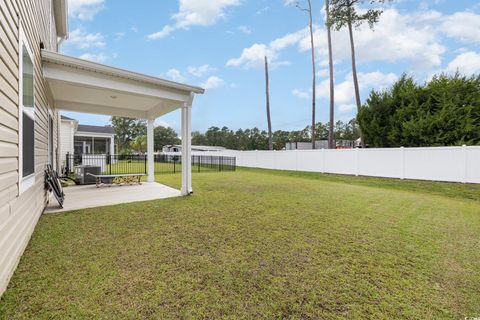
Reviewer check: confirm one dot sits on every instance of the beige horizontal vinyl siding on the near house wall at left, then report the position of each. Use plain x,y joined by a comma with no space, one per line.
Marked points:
19,213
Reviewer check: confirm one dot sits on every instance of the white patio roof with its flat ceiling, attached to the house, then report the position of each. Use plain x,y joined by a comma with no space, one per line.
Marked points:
84,86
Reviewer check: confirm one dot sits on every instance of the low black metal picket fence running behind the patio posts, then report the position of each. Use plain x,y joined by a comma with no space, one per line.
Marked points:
164,163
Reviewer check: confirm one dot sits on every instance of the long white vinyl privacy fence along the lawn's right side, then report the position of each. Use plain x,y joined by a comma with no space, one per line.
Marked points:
454,164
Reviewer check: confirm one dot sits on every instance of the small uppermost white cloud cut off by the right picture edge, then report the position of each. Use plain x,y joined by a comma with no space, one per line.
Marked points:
464,26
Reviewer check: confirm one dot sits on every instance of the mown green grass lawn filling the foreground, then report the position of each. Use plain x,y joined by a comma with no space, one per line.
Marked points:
260,244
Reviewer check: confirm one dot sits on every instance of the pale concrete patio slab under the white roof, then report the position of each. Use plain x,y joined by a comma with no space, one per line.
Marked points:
83,197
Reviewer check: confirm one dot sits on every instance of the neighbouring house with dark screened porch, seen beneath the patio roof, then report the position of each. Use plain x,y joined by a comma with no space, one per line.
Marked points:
81,139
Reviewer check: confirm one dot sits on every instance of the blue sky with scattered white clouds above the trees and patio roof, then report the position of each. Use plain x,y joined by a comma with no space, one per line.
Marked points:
220,45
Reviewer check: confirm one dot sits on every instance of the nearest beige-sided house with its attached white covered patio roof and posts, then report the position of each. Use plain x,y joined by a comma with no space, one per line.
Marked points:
36,82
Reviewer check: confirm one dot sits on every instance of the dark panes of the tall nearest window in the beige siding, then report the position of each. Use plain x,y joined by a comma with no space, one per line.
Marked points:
28,115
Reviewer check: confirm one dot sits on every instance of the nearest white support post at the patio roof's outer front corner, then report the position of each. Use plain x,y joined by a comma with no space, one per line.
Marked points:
187,148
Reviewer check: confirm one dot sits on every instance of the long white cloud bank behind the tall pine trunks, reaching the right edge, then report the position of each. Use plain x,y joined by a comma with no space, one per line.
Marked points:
415,38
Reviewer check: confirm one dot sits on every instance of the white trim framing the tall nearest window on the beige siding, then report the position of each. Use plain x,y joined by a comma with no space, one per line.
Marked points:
24,183
